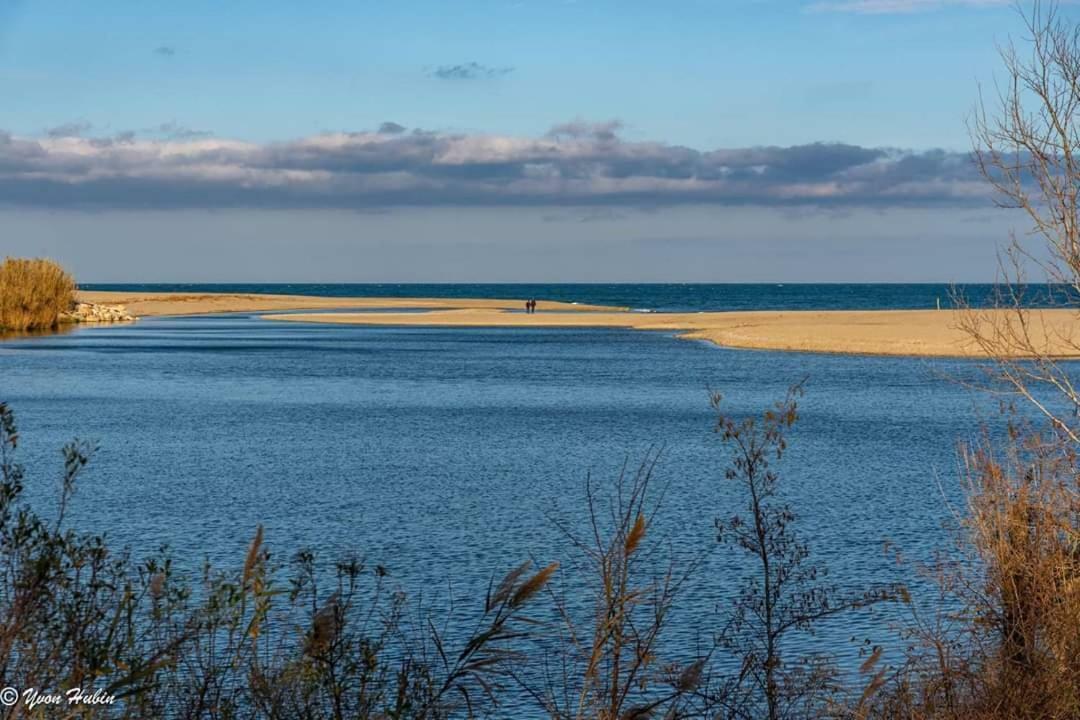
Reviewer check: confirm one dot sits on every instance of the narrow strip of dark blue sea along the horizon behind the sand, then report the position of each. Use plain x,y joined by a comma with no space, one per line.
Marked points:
669,297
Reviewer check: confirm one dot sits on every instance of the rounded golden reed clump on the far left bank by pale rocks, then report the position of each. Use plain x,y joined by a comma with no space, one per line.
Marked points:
34,292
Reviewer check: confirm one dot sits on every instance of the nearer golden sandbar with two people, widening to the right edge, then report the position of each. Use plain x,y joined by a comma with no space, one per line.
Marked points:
909,333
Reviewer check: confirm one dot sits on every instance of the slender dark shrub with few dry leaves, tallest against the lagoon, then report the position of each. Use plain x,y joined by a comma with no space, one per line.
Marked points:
787,593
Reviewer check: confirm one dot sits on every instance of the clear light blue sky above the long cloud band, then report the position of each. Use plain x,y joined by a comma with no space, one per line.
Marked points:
706,74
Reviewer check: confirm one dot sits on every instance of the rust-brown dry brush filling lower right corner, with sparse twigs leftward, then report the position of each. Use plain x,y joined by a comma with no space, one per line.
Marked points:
1011,647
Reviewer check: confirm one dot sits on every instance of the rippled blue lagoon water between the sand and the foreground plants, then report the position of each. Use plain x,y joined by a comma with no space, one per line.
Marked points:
445,455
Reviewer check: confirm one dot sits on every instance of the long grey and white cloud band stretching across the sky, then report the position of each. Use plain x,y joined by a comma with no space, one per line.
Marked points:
575,165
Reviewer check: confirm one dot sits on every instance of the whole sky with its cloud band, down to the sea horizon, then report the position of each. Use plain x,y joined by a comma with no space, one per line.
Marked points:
499,141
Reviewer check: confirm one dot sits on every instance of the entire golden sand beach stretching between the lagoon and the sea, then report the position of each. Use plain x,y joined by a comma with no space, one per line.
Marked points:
872,333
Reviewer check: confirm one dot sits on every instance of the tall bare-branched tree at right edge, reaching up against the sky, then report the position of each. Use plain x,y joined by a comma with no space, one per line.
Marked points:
1025,143
